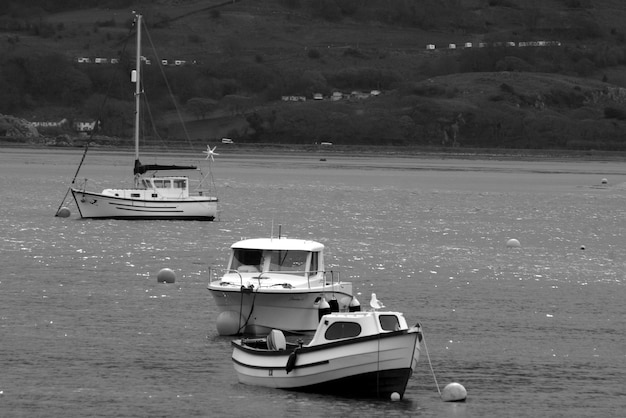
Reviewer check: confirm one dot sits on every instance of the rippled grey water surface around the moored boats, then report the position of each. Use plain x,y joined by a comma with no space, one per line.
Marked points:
537,330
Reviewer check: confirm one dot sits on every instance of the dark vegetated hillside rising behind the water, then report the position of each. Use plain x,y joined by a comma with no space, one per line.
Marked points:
243,56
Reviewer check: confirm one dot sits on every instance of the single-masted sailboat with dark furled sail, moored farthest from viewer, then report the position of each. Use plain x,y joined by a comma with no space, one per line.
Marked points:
154,196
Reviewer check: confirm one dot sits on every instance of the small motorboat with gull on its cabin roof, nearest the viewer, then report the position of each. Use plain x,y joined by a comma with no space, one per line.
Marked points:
369,354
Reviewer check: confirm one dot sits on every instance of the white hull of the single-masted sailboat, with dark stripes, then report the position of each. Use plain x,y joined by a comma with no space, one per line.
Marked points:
101,206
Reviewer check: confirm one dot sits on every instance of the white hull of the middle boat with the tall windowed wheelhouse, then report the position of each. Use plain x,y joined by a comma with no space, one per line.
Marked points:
260,310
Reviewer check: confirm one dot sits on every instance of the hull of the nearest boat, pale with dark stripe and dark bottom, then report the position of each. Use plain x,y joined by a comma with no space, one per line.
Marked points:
373,366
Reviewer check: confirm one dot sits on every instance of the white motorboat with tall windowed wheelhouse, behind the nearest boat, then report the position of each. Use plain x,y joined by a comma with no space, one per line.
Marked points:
277,283
